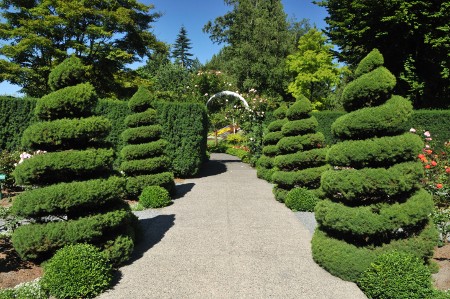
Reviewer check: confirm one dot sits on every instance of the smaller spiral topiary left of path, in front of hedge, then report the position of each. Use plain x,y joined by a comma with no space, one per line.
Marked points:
144,162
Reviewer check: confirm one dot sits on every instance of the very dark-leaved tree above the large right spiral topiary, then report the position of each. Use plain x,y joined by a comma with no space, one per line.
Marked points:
411,35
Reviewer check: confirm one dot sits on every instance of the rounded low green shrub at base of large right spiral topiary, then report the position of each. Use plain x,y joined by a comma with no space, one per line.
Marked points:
396,275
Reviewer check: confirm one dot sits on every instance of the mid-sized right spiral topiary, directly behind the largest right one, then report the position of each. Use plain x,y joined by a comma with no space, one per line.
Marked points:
301,159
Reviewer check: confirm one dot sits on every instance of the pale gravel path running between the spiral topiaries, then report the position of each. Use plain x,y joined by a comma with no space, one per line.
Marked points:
226,237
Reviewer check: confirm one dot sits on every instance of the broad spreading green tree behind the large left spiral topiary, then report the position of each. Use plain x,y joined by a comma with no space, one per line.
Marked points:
105,35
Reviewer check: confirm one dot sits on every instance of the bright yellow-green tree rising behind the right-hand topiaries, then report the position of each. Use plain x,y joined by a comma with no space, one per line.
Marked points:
315,73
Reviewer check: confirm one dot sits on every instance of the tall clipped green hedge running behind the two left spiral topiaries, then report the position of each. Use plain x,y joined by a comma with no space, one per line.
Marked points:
188,120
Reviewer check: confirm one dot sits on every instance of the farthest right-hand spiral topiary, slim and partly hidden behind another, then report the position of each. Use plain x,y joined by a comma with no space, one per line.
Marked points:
265,166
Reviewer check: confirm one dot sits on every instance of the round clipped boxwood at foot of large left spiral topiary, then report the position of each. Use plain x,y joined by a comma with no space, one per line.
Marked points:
77,271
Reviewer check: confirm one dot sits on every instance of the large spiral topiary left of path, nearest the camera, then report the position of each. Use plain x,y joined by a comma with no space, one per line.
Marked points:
74,198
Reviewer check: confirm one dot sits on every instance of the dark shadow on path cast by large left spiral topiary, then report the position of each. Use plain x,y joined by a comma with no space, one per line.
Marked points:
152,232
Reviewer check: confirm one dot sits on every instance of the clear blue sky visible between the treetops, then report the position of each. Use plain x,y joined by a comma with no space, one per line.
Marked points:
193,15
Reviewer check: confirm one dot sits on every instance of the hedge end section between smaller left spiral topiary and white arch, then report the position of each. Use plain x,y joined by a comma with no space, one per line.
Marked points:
185,127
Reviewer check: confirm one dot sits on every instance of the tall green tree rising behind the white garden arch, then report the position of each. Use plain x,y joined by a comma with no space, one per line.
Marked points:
258,40
